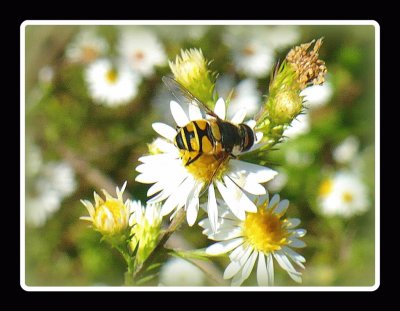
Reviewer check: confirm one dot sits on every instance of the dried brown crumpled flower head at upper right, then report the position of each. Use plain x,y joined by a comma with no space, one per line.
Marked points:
308,67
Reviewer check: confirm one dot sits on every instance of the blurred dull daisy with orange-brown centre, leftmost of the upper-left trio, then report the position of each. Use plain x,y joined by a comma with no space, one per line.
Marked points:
86,47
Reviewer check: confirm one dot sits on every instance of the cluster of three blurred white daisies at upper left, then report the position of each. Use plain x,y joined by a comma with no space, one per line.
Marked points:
114,81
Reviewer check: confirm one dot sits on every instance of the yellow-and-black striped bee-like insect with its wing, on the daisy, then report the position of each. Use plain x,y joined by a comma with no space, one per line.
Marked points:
212,136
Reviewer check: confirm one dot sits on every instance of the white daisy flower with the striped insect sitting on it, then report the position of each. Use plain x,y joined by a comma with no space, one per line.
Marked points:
181,185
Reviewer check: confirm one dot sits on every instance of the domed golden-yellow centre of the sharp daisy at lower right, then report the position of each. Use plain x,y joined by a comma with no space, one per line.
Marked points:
265,231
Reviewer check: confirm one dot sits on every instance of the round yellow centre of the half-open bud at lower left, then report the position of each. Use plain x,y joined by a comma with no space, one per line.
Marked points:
111,216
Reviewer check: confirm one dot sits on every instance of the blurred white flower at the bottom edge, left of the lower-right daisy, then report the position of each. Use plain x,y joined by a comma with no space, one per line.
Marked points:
179,272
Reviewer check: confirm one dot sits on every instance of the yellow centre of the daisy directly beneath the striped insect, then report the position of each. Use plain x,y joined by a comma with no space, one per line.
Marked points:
206,167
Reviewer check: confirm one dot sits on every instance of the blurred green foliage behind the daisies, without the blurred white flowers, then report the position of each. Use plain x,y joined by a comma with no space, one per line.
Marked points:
103,145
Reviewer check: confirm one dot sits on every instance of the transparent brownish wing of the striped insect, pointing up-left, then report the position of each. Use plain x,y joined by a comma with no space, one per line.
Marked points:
184,96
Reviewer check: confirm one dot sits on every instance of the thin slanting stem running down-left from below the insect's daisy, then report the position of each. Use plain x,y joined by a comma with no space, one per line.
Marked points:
164,236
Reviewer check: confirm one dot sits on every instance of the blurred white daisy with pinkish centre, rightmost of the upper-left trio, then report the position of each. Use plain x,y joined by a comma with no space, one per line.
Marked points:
142,50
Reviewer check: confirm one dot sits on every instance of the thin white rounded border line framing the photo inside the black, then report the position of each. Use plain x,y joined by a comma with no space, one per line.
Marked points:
200,22
